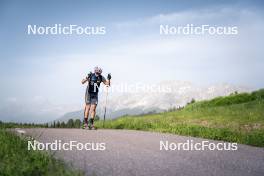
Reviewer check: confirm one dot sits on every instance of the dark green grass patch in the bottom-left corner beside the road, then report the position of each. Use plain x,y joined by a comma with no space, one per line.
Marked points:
15,159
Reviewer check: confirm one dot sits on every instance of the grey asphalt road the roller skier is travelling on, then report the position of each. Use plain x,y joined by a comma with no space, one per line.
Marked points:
130,153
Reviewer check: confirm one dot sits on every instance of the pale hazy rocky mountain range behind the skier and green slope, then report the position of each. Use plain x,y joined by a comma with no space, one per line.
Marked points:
173,94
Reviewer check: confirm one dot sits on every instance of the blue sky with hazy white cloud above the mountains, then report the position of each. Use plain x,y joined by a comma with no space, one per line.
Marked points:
40,74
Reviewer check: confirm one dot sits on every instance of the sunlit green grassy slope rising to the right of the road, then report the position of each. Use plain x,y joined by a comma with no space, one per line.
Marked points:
236,118
